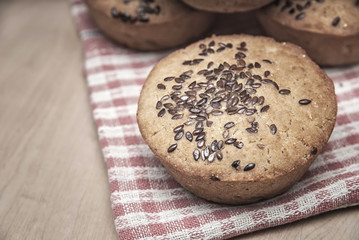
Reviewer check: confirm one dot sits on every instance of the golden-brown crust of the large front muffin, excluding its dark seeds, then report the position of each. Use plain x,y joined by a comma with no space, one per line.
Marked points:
280,159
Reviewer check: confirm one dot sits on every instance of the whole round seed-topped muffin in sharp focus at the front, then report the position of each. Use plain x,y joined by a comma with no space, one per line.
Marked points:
236,119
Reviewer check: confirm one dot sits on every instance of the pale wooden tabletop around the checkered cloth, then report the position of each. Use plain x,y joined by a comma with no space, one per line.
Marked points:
53,180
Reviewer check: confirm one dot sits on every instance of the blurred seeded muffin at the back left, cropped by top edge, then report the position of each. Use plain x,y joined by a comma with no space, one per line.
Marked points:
149,24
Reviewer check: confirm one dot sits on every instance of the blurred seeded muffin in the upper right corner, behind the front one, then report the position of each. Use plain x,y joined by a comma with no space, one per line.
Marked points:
327,29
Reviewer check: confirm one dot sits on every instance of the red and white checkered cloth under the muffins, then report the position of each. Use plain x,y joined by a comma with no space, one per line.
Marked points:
148,204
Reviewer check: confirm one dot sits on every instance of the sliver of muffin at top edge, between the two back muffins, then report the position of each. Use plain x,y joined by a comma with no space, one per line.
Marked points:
227,6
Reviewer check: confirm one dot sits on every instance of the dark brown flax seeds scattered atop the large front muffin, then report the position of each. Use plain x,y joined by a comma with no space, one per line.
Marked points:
198,98
